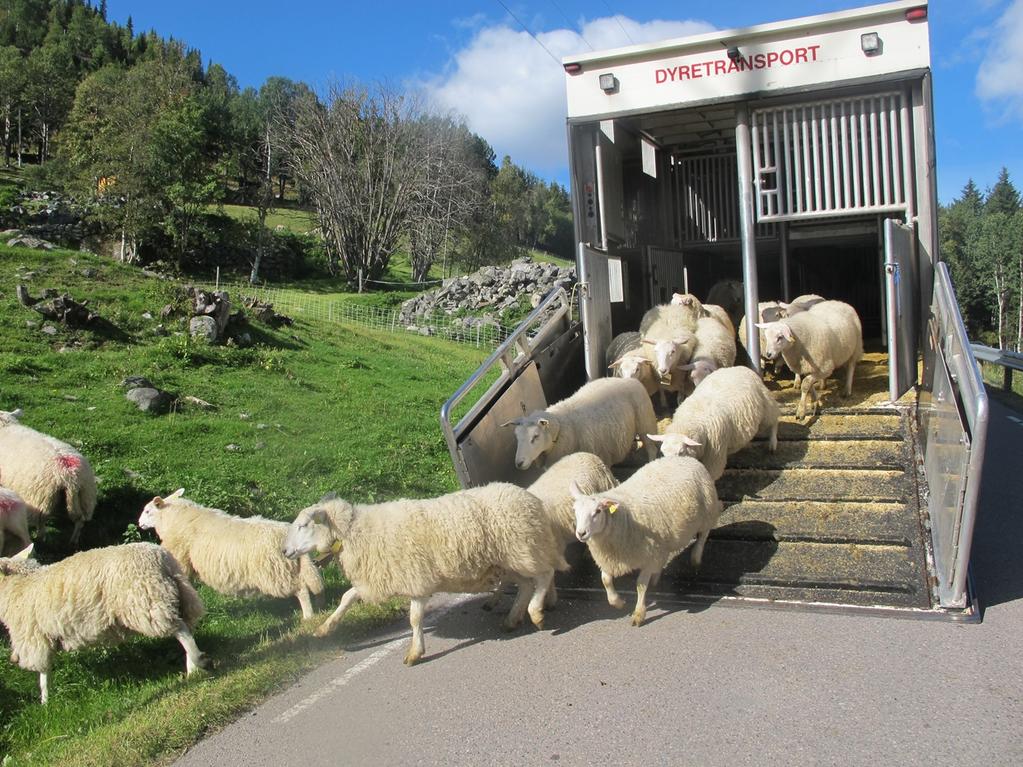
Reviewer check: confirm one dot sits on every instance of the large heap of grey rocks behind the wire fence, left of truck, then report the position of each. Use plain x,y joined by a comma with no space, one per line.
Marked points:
486,296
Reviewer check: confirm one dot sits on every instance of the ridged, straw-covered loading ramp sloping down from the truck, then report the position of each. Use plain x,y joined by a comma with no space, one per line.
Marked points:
833,517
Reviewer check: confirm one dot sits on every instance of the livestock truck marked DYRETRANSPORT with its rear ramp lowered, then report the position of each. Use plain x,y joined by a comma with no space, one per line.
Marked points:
796,158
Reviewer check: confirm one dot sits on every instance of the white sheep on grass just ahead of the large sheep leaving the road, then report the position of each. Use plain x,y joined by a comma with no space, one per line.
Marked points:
232,555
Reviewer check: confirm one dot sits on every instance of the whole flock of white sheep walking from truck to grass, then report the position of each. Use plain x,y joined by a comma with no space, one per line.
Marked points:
476,540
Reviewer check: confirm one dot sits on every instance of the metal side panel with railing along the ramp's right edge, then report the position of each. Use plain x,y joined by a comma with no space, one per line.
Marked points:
953,413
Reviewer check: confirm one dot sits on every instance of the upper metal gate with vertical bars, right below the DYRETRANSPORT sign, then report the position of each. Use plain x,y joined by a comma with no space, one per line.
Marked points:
829,158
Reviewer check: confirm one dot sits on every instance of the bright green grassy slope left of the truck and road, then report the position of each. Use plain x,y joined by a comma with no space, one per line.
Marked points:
305,411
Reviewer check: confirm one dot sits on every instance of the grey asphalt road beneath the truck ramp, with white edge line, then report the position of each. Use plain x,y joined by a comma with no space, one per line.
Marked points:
714,687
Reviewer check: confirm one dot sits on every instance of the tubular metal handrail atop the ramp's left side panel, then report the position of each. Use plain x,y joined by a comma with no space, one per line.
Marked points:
513,356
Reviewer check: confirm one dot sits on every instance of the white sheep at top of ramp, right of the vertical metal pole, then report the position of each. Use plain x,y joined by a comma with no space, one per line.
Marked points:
816,343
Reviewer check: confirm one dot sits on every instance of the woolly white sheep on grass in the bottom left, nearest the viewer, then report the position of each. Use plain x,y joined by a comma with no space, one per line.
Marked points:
96,596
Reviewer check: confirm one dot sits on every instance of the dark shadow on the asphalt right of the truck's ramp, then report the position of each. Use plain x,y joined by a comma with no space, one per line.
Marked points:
997,567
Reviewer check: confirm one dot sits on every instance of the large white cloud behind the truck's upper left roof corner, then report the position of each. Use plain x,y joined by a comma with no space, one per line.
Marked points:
512,93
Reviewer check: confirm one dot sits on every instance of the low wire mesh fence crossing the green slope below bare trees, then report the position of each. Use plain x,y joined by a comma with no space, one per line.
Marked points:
478,332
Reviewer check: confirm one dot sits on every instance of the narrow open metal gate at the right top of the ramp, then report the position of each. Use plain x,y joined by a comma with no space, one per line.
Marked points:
902,282
